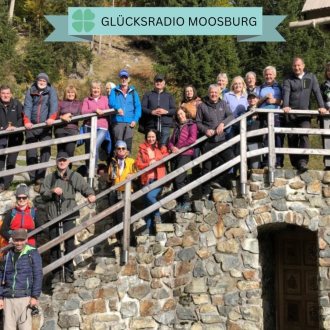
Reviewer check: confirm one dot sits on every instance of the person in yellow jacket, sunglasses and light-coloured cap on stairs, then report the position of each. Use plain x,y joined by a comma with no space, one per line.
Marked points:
121,167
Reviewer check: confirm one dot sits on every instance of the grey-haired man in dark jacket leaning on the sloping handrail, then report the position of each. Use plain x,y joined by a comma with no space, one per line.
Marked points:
212,116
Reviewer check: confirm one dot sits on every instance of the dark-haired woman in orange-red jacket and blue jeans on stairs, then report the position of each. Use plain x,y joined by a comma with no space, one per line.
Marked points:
149,153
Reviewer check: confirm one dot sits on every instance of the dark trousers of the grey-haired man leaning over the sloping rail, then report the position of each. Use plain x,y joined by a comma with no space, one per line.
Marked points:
214,162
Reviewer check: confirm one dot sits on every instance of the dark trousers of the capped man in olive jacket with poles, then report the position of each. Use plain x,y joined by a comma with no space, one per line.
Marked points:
55,252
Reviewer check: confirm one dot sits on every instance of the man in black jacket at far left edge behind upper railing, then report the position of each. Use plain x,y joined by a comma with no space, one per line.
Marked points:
11,117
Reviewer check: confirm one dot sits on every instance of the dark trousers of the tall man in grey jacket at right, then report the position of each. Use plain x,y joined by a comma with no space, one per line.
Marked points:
298,140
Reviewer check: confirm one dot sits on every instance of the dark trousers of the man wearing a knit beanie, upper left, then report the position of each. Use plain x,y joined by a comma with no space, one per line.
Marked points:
33,136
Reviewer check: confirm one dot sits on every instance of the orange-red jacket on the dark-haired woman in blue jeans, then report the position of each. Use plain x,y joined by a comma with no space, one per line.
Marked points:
143,161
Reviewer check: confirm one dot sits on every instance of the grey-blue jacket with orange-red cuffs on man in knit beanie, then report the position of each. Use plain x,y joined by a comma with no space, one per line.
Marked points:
40,105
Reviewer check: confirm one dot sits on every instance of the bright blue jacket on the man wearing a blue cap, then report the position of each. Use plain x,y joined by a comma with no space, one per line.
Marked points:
130,104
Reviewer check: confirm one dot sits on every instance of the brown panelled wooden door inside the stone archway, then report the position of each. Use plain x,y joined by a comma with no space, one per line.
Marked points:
297,288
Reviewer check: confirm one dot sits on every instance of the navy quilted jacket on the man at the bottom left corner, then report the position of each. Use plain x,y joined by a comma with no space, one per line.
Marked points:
24,278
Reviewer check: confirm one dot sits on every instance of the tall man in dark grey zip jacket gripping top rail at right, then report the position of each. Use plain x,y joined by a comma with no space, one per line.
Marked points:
297,89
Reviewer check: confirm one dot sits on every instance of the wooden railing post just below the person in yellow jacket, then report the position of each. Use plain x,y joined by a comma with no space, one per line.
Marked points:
127,222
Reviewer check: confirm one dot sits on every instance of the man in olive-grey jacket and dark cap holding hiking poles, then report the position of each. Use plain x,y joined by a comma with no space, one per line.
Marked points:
59,191
